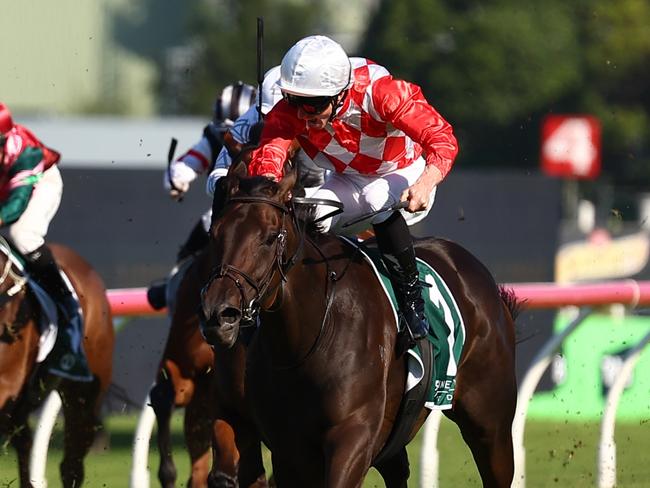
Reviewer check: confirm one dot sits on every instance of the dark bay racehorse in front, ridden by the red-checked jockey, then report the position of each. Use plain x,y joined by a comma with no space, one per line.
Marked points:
324,381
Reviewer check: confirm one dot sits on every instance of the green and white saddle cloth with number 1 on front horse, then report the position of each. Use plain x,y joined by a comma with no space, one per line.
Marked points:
447,334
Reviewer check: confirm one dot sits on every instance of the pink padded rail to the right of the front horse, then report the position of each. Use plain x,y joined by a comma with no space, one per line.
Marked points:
550,295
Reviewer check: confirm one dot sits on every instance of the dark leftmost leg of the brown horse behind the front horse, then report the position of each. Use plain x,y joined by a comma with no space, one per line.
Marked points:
162,402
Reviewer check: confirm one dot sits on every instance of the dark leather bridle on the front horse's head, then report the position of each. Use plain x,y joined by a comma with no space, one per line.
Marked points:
250,311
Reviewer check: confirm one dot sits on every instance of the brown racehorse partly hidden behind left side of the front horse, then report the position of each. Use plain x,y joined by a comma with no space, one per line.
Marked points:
211,390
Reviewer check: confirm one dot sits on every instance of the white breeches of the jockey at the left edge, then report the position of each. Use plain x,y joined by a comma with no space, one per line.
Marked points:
29,231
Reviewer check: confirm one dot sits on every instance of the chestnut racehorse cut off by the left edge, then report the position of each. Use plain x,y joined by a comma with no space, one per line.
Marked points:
24,383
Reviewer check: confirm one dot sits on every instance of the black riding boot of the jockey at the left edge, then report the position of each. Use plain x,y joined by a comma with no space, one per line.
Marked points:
68,358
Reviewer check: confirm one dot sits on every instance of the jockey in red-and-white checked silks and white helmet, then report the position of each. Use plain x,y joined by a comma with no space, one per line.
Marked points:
382,139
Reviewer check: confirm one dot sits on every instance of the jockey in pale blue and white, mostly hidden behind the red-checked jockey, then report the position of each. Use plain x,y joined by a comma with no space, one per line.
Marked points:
245,131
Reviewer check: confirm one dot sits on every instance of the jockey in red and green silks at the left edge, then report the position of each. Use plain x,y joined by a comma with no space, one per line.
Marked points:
30,194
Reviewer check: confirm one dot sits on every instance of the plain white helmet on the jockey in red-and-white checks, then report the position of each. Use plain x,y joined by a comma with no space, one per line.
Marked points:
315,66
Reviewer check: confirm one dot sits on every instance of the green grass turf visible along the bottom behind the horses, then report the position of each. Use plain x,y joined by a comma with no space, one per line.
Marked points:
558,455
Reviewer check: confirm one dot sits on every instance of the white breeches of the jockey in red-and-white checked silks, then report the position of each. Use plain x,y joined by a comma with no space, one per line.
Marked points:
361,194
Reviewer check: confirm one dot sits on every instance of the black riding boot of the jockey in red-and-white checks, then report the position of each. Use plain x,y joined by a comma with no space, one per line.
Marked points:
396,247
